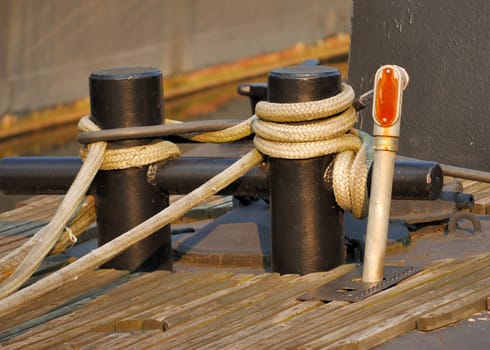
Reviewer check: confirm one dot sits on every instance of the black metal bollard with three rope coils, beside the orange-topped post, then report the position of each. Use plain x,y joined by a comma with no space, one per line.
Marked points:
306,224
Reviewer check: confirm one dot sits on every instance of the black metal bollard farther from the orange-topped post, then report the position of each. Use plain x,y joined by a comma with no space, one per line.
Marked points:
126,97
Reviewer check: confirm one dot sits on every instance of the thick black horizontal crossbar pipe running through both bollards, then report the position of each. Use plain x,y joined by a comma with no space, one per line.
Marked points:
53,175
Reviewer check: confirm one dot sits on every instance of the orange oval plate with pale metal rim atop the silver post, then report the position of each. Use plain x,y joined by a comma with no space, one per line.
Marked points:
387,97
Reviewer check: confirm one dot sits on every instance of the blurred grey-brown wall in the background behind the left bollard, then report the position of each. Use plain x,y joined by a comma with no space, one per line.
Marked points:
48,48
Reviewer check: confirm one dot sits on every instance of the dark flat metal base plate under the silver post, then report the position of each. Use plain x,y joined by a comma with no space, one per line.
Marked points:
351,288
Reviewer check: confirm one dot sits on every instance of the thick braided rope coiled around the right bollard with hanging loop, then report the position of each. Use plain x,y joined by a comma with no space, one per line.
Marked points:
317,128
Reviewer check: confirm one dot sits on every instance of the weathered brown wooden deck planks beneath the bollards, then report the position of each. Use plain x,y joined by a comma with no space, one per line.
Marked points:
211,309
